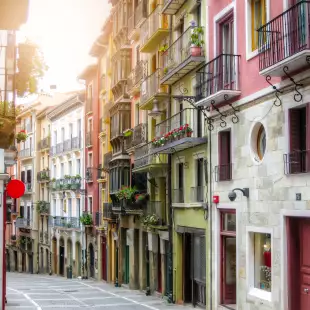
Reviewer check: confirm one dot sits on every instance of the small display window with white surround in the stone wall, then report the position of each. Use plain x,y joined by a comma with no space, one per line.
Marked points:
262,261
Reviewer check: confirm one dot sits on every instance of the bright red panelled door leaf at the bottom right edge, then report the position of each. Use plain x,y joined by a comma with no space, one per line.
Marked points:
304,231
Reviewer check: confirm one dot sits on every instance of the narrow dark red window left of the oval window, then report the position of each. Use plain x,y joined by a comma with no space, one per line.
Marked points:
223,172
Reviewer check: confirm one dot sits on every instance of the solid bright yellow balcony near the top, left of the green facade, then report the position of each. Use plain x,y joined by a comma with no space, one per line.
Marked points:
154,29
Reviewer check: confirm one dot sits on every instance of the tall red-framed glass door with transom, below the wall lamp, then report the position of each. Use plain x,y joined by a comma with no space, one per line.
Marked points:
228,250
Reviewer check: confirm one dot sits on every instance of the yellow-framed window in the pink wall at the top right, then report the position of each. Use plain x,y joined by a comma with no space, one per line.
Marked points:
258,13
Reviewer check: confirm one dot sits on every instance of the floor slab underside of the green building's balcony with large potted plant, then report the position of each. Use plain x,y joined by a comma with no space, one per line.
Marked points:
182,69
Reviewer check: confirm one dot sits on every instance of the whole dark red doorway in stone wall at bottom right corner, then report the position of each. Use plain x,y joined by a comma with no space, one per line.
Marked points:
298,250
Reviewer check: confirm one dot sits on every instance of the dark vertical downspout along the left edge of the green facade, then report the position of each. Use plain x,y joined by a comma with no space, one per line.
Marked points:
169,190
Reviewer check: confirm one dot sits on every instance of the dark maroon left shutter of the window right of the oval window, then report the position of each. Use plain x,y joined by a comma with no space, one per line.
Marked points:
293,159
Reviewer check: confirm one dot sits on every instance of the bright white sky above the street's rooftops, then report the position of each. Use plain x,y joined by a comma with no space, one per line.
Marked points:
65,31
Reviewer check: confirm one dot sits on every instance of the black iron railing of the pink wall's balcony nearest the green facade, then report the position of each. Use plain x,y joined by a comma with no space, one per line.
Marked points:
221,73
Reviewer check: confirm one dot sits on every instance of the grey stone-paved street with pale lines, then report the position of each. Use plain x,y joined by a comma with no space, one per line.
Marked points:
38,292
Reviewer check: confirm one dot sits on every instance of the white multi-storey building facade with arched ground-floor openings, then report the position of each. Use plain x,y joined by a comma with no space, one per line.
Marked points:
67,187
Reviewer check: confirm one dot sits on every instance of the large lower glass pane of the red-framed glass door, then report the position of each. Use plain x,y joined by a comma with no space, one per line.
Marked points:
230,261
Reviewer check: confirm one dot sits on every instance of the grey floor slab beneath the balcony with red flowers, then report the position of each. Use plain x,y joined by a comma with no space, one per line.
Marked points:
179,145
